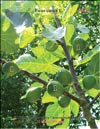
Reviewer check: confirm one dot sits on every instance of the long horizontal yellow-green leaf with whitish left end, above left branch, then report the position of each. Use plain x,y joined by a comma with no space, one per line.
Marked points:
27,62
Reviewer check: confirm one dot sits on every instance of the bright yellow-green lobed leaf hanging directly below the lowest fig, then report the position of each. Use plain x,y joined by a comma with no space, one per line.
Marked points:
55,114
